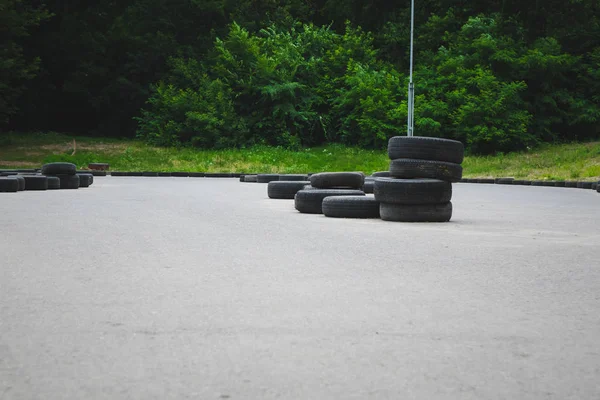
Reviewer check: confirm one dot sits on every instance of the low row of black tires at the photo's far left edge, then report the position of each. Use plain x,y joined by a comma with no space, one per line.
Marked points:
51,176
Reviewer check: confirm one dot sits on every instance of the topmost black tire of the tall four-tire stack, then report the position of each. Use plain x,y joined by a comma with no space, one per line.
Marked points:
426,148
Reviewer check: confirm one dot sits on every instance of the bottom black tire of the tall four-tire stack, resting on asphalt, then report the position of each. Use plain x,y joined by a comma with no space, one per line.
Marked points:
416,212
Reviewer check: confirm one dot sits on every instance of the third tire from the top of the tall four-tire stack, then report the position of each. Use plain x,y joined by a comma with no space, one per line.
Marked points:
412,191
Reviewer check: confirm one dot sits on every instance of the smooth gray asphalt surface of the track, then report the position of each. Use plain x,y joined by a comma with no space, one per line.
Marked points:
199,288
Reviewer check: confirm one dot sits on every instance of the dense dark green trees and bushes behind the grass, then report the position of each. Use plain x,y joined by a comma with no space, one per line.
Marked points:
499,75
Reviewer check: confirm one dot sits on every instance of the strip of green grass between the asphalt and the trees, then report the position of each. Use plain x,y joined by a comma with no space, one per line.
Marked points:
578,161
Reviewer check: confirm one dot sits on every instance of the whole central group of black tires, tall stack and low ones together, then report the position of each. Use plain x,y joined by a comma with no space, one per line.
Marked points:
417,188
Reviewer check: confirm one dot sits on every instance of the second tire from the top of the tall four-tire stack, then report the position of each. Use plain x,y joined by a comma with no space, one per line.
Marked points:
406,168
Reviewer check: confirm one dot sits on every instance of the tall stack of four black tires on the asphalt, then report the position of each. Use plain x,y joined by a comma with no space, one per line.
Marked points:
419,188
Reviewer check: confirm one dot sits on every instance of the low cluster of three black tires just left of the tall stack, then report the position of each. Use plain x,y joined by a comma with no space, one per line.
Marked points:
310,200
